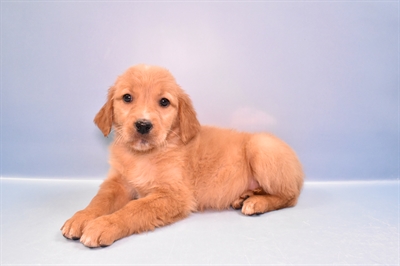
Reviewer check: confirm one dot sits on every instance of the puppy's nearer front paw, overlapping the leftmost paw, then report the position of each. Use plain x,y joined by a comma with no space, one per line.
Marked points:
102,232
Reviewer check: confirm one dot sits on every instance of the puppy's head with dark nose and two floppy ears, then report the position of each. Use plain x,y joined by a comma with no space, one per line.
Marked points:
148,109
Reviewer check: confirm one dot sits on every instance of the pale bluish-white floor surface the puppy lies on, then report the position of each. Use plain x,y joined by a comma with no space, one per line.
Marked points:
333,223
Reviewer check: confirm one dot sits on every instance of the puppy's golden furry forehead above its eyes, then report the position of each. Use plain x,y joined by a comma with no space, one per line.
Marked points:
147,79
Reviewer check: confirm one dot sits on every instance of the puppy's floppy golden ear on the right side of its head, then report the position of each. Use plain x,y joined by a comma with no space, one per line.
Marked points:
188,123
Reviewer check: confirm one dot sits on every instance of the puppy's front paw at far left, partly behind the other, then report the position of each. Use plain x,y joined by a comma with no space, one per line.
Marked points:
73,227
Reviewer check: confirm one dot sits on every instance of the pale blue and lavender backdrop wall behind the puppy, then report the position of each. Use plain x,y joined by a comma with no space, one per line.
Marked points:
324,76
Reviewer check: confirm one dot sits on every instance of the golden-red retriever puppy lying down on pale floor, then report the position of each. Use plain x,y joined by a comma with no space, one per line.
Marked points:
164,165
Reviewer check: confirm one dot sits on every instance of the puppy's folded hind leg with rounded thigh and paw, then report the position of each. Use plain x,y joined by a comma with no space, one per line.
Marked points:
276,169
